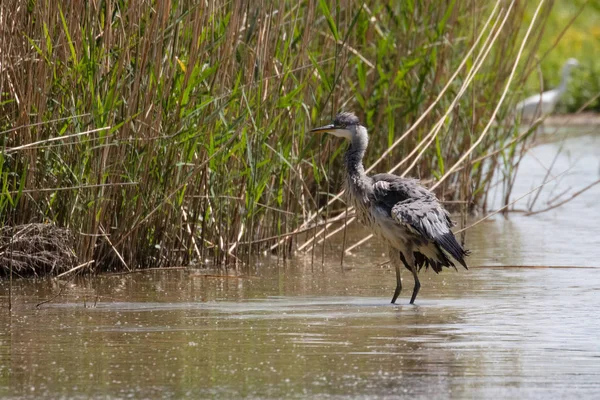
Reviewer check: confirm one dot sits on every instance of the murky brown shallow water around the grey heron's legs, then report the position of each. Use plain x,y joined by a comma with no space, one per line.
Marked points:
310,331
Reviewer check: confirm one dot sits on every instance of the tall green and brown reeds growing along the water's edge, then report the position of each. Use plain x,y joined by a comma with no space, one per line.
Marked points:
175,133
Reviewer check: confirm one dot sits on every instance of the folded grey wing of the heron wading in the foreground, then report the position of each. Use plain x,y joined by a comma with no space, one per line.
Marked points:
428,219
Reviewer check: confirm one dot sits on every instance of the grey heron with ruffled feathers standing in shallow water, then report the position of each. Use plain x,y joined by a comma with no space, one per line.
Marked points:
406,216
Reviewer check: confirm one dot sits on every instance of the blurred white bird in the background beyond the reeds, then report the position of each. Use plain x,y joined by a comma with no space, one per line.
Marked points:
543,104
